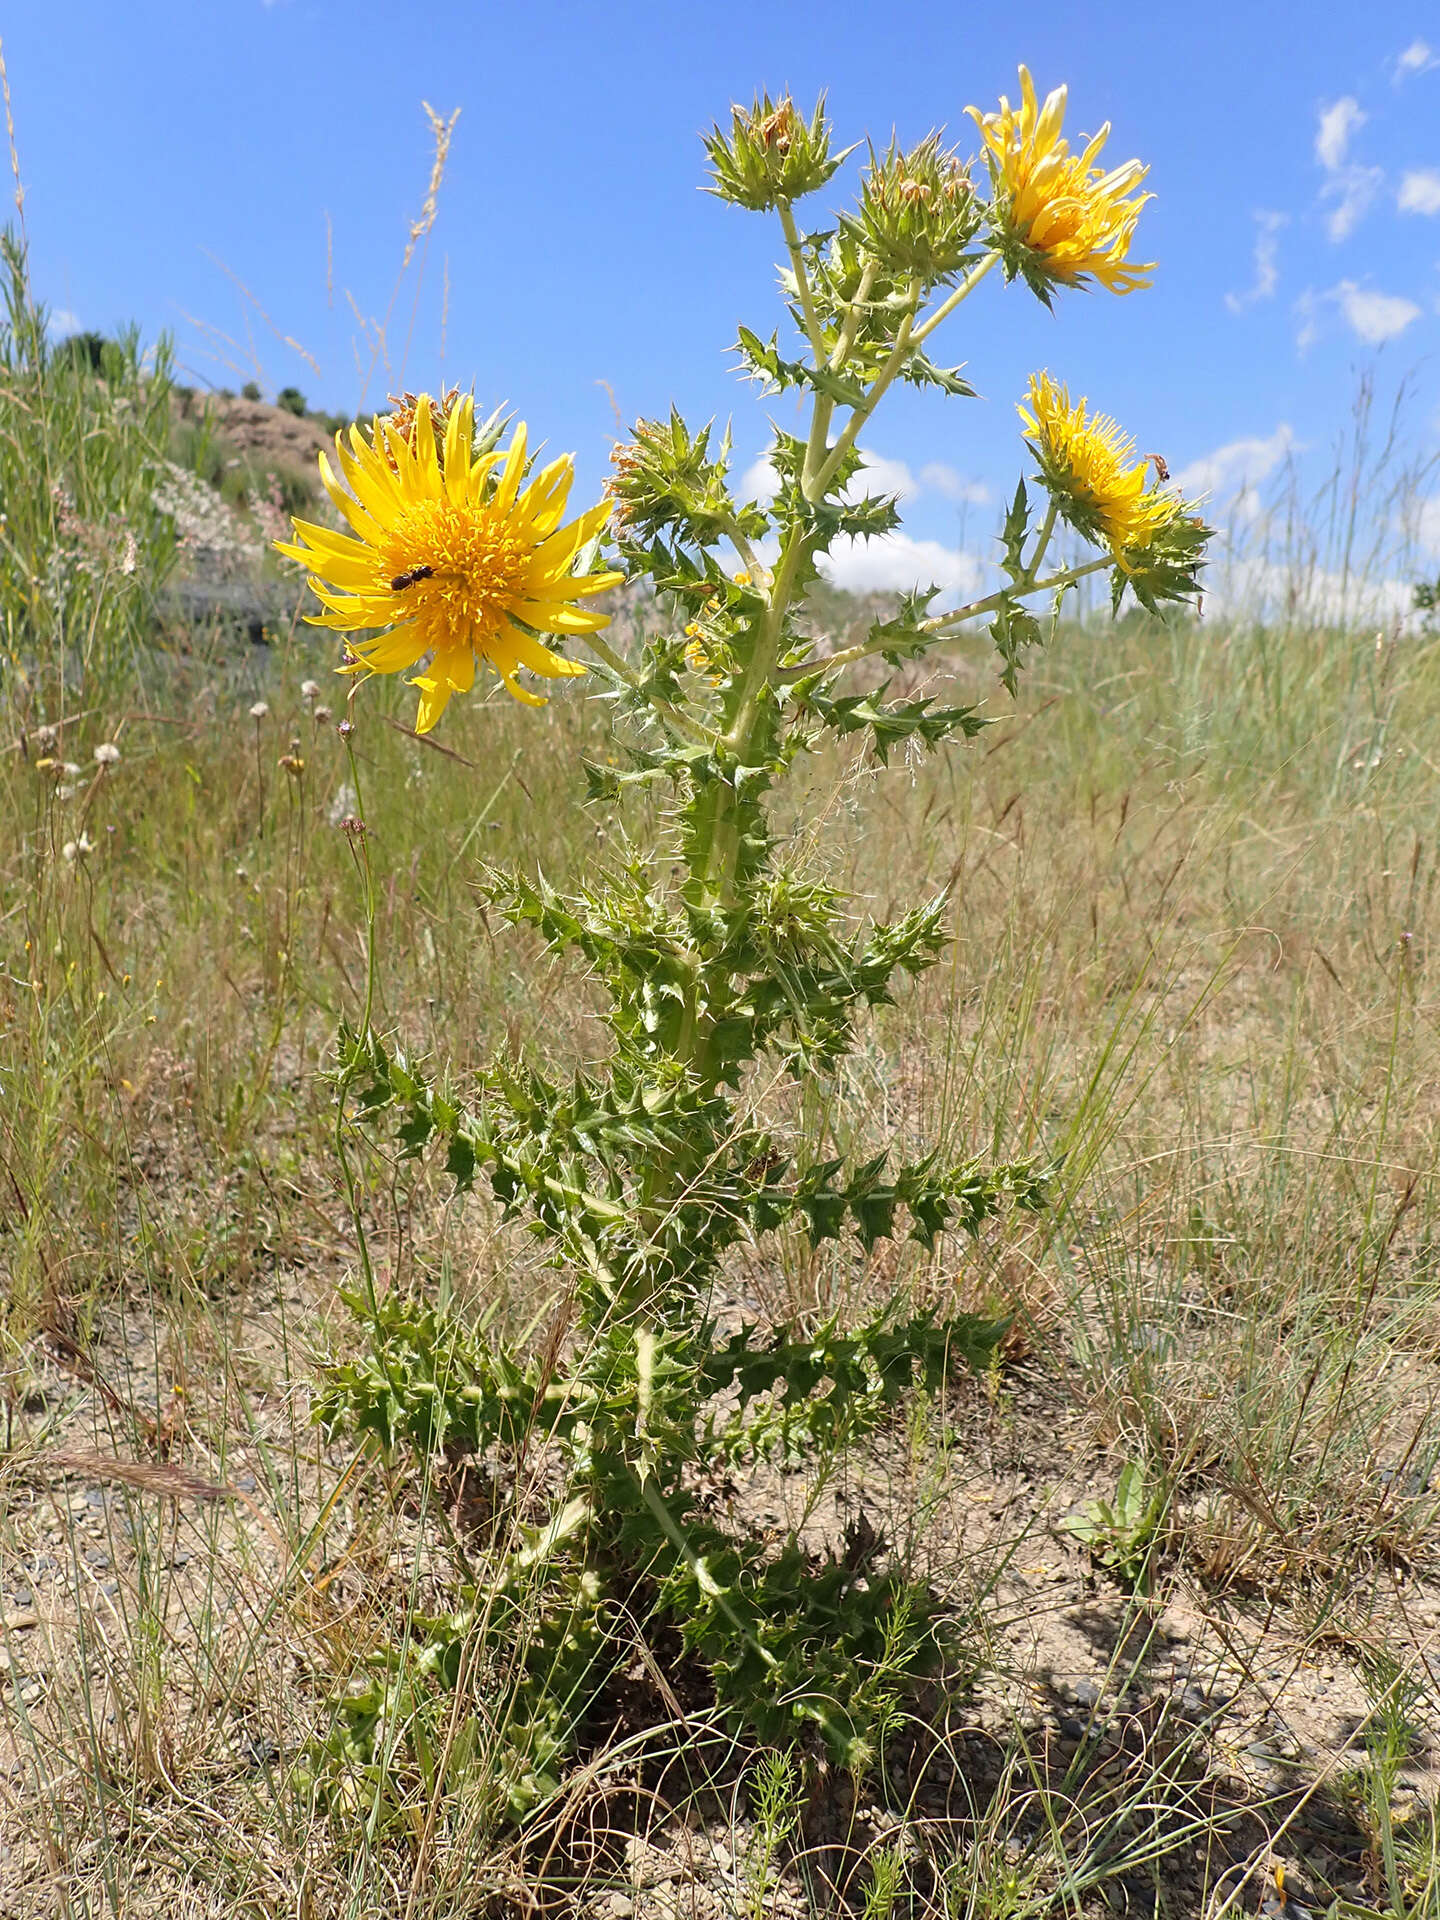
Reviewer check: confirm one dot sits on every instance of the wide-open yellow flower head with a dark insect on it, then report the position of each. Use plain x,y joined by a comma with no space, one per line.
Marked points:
452,556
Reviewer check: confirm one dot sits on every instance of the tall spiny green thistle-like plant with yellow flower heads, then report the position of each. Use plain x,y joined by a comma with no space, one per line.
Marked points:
721,955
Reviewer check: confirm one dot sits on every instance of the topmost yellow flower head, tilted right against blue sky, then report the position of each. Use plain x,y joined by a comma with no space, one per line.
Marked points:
1063,218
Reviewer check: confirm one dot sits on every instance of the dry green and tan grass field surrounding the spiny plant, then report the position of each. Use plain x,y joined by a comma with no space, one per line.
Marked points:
1191,1520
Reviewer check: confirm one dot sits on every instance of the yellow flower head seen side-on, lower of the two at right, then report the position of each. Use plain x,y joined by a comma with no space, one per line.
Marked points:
1092,471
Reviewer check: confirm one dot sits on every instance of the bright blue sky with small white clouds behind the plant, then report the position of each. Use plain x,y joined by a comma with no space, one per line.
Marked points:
174,149
